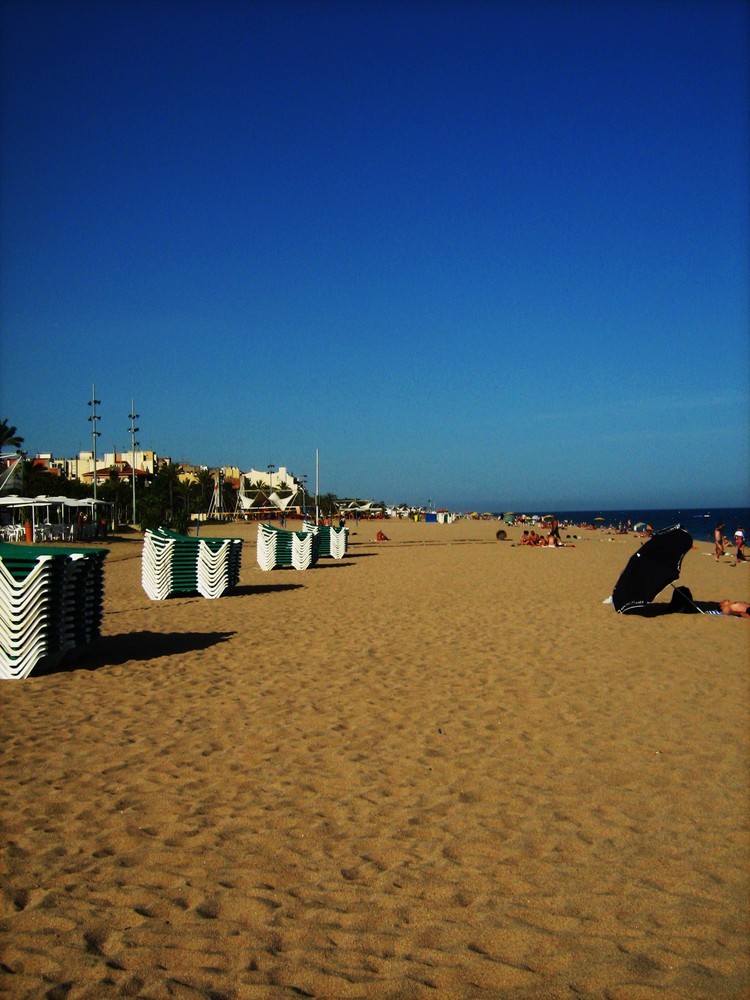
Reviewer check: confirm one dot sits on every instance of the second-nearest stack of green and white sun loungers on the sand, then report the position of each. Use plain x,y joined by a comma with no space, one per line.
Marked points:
178,564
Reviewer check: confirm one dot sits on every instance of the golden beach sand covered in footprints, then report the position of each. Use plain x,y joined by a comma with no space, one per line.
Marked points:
440,767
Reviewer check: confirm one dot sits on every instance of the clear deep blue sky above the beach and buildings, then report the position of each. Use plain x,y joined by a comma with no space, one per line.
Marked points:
492,254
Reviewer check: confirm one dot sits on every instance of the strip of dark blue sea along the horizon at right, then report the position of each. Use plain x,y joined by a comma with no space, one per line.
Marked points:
700,522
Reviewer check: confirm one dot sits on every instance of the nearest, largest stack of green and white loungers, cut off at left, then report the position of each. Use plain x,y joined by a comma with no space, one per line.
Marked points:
51,604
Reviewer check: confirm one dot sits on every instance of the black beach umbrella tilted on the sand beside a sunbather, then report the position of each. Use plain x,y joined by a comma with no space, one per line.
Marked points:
653,567
